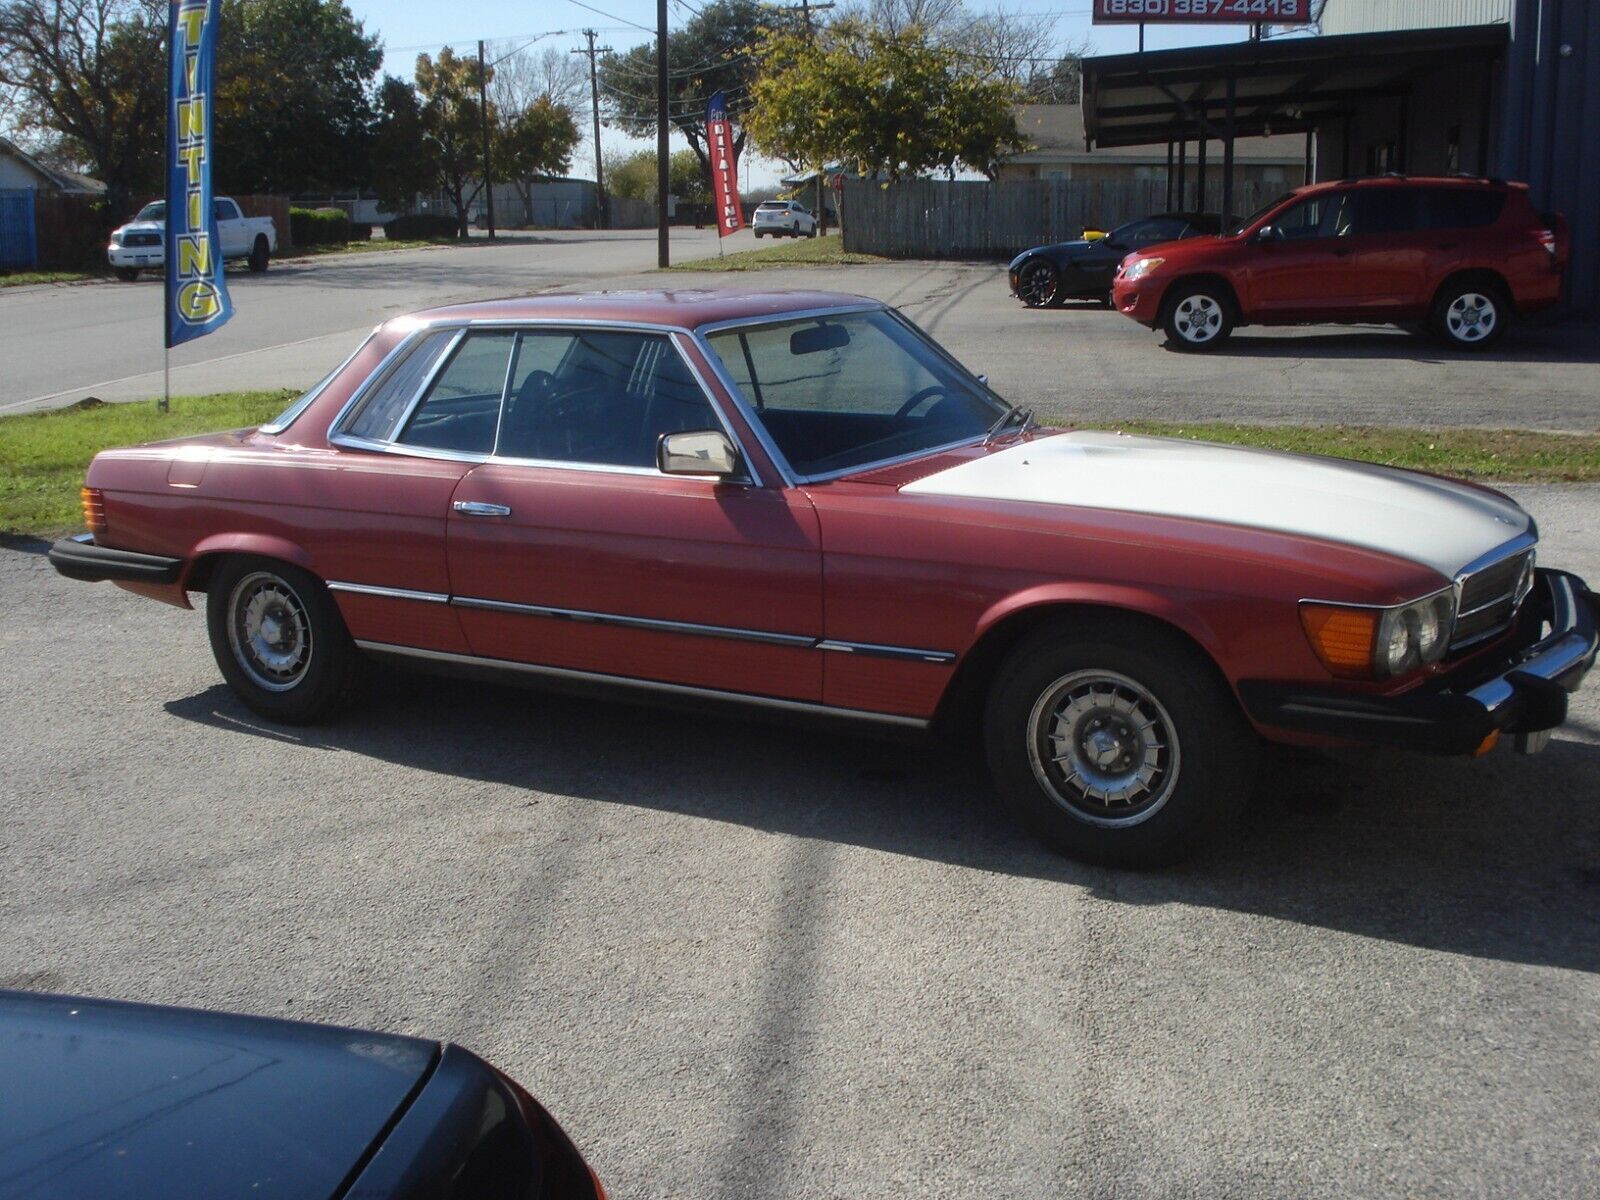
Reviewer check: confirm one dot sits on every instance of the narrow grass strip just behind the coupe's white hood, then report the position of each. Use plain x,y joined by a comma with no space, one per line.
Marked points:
1510,455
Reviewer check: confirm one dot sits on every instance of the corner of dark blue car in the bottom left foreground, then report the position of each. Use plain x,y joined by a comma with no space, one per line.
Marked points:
146,1103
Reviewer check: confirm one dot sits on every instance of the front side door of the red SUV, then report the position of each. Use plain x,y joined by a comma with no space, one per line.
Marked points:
1300,268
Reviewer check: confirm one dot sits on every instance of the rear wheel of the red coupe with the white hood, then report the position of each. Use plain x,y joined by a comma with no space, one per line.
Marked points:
281,642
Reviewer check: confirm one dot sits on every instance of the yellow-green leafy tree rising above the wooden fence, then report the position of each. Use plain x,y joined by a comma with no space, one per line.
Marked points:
892,105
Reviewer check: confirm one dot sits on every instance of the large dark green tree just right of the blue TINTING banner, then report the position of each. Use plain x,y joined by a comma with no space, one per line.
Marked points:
294,95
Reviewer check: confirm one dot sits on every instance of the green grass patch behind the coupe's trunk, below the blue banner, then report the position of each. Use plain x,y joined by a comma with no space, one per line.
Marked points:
44,455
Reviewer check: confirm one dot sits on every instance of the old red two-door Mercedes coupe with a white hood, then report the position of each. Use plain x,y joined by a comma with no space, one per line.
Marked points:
798,502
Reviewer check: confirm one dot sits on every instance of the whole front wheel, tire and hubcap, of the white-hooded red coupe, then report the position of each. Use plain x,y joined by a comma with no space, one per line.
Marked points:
1182,759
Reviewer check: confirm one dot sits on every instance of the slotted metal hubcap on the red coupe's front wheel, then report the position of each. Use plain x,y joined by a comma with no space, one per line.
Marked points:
1103,748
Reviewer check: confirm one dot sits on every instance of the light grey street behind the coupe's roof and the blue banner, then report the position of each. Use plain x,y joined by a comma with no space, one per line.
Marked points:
294,324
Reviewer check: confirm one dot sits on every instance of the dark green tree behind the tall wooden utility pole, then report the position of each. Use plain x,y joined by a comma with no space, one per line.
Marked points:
713,52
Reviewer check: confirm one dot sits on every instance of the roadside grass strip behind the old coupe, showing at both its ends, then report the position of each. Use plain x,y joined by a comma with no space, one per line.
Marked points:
44,455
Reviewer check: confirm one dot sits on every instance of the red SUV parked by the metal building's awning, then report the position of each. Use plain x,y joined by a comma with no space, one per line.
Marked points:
1463,255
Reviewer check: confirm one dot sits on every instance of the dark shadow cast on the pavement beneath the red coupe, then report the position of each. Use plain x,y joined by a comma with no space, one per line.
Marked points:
1495,858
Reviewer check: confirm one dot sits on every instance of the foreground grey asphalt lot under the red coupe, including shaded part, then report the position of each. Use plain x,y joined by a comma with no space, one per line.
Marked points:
743,962
